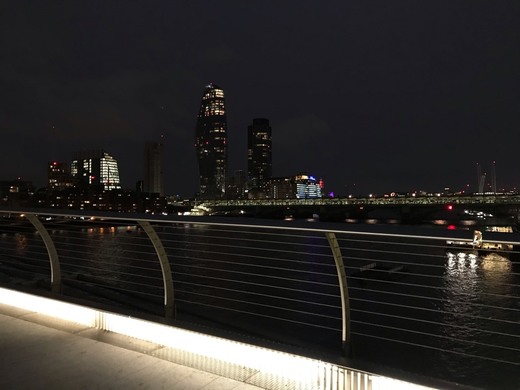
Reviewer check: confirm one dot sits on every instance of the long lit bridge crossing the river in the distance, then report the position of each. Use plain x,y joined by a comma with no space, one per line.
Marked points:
501,209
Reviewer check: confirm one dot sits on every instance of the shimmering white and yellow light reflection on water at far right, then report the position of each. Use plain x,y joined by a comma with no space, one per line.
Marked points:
474,287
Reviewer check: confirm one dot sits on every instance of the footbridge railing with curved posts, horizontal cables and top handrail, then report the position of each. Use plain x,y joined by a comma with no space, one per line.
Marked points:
389,293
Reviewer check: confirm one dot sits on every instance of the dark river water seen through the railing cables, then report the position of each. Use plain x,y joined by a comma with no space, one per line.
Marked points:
442,314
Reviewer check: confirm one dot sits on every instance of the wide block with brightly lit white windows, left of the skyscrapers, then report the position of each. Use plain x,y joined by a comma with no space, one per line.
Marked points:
95,169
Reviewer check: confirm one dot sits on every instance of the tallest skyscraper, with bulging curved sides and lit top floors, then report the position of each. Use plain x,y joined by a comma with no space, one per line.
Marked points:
211,143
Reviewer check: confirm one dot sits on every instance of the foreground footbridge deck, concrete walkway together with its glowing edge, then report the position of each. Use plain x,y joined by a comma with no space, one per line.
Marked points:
42,350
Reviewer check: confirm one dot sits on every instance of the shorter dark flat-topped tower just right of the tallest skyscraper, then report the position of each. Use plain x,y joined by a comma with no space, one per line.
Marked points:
259,153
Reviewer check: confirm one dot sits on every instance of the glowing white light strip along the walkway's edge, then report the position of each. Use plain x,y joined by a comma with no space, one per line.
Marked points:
309,373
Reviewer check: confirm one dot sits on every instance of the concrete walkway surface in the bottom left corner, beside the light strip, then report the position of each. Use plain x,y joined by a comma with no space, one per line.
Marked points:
38,352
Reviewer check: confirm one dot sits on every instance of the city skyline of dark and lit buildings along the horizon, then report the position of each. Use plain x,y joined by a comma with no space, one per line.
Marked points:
215,181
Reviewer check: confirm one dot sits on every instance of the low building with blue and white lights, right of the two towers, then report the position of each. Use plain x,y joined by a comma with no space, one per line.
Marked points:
294,187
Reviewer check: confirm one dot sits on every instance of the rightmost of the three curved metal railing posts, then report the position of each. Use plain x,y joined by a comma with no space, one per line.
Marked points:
345,303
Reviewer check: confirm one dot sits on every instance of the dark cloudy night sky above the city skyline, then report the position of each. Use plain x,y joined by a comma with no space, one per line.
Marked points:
371,96
